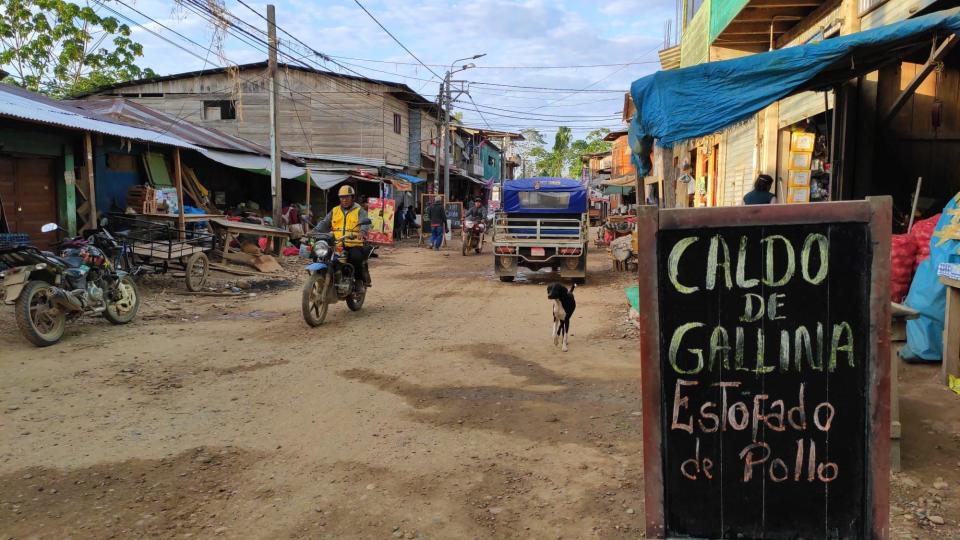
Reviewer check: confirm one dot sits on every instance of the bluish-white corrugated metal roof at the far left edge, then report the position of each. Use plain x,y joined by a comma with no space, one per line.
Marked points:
24,105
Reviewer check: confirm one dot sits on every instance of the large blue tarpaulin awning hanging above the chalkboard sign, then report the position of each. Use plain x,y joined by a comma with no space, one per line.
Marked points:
681,104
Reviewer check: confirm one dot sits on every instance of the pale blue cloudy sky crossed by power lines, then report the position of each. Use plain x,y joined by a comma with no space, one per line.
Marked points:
523,35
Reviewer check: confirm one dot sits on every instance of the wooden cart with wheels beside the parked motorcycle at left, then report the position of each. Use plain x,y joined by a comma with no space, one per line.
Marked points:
156,247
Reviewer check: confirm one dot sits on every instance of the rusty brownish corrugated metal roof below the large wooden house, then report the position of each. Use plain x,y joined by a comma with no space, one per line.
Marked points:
131,112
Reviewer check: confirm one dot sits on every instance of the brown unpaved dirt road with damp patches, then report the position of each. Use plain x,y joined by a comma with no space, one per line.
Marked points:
442,410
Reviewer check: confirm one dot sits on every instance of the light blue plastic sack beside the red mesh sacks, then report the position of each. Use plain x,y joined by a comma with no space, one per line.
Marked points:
925,334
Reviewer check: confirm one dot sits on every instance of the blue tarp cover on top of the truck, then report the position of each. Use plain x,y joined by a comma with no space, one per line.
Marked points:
544,196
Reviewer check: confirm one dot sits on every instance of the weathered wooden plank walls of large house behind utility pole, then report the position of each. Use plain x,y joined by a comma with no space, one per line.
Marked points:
323,116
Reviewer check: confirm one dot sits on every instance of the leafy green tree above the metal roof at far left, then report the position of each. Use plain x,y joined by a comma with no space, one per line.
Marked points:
62,48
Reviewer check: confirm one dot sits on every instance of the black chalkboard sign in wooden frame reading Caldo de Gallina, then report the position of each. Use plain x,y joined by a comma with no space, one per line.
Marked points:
741,444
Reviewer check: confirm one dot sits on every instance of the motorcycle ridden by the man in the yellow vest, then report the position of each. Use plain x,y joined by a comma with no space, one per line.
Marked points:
331,277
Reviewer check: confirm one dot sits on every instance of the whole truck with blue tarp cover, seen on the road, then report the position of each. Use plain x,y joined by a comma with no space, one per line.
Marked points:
543,224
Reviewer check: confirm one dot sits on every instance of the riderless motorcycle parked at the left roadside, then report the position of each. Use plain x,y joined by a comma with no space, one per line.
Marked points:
48,290
